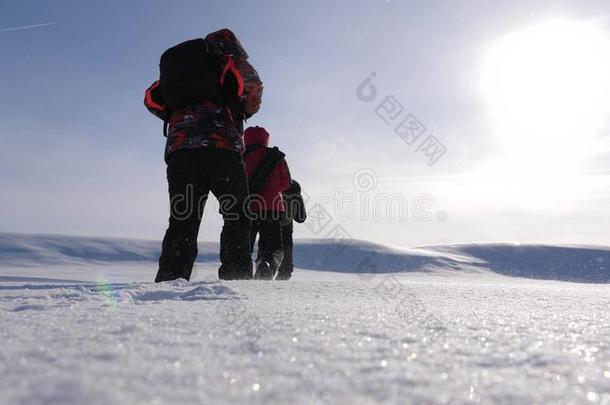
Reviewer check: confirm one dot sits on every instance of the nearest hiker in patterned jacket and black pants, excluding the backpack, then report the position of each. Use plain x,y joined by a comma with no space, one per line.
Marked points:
203,153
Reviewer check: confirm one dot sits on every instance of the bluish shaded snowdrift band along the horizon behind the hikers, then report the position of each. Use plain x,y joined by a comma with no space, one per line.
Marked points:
553,262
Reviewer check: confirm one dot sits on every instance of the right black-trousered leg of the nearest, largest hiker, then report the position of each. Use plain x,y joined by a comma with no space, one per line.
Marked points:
229,184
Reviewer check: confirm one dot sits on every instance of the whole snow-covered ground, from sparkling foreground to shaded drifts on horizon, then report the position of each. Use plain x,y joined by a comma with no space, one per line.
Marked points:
365,323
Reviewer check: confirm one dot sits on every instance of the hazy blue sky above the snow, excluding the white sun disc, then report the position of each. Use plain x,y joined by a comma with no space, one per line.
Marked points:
81,155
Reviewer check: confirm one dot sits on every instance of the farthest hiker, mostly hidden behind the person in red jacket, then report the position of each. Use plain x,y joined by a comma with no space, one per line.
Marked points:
294,211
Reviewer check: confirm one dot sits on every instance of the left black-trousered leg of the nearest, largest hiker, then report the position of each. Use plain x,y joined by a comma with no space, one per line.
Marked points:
187,192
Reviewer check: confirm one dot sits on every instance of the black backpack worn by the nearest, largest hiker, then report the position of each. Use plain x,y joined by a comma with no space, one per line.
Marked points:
191,72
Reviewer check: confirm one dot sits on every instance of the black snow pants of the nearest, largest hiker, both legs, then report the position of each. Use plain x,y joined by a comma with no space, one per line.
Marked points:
191,175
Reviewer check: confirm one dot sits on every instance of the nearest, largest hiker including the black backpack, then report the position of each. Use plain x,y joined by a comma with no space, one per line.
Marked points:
206,90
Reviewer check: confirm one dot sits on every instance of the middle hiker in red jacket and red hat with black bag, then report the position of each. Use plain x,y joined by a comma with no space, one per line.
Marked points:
266,201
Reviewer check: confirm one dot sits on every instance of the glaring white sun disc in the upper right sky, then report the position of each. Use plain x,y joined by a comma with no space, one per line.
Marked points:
548,89
